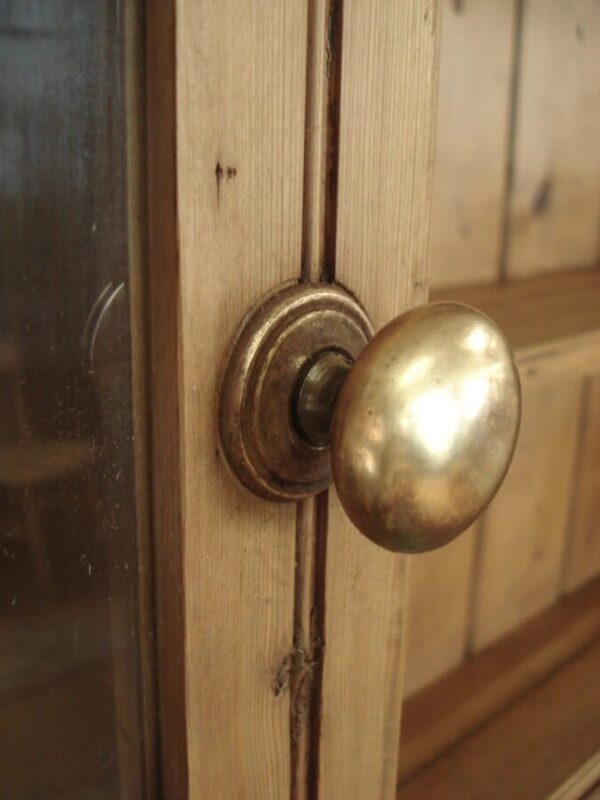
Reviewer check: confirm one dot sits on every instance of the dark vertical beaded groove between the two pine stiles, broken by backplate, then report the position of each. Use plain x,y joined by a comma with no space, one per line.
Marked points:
319,233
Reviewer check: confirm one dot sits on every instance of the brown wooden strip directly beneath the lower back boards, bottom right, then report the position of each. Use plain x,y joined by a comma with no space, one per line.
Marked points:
467,697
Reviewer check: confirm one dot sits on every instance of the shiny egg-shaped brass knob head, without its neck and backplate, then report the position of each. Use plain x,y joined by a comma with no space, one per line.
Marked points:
425,426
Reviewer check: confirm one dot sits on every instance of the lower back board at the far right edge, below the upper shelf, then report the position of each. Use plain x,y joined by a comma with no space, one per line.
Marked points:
583,556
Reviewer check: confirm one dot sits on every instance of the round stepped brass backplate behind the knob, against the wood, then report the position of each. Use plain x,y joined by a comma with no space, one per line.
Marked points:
272,351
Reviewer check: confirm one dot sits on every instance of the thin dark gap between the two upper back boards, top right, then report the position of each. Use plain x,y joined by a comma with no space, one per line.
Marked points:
511,139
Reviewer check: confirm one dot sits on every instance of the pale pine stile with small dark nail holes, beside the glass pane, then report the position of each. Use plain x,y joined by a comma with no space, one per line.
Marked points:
240,95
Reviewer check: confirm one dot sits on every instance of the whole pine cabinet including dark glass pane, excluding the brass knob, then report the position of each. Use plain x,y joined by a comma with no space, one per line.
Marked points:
211,151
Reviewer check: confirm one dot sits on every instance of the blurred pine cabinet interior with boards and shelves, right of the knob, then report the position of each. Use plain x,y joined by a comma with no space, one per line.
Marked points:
507,615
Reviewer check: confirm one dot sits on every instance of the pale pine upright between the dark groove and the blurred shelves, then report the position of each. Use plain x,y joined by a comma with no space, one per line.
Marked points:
388,88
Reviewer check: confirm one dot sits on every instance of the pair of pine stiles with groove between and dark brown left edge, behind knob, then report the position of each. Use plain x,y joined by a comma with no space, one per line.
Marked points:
287,141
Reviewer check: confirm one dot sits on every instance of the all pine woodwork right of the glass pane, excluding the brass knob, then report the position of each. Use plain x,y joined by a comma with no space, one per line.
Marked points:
296,141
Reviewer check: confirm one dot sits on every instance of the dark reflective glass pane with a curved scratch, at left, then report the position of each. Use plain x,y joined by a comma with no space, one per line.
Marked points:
71,665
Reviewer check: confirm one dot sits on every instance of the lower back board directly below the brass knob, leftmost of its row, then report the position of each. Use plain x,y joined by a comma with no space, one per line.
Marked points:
438,610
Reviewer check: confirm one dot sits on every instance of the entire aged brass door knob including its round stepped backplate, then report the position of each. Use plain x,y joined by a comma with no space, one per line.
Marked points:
417,425
